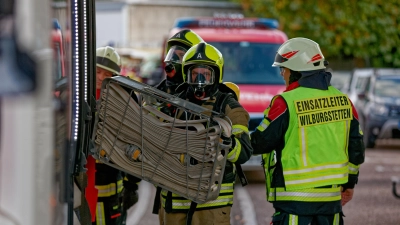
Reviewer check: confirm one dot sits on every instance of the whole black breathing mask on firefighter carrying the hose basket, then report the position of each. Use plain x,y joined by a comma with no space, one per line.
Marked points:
200,78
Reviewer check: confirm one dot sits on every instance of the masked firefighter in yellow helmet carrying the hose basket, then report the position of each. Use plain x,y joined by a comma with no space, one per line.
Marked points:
202,70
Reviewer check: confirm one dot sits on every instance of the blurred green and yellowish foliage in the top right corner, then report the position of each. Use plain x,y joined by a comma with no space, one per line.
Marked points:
365,29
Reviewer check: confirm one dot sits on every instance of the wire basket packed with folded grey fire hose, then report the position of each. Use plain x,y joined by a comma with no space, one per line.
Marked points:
181,151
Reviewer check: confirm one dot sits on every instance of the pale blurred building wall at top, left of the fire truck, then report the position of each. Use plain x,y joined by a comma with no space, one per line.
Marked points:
146,23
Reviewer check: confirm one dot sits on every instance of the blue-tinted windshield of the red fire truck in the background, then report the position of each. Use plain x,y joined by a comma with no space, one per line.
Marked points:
249,63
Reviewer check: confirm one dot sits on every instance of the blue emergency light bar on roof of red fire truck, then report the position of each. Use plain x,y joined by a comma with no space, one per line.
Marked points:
260,23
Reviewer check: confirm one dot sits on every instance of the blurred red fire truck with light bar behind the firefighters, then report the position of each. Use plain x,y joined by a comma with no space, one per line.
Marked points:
249,46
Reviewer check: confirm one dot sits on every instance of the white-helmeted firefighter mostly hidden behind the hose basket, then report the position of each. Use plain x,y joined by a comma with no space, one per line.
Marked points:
117,192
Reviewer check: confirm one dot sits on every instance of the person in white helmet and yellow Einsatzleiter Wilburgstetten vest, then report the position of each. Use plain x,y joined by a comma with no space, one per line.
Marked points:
311,141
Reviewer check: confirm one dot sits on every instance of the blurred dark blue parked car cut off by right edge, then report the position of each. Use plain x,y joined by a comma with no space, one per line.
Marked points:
379,106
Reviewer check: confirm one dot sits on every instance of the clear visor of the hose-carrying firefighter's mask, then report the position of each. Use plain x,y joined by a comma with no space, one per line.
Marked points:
200,75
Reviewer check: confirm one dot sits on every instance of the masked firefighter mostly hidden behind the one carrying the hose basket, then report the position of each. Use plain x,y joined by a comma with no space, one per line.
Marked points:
177,45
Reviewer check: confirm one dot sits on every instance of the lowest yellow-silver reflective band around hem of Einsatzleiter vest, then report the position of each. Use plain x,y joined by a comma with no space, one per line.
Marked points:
306,195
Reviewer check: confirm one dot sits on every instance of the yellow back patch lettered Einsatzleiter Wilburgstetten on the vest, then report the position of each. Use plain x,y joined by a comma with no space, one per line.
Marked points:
328,109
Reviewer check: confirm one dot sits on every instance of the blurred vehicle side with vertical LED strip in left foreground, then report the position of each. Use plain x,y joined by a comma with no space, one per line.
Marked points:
47,71
